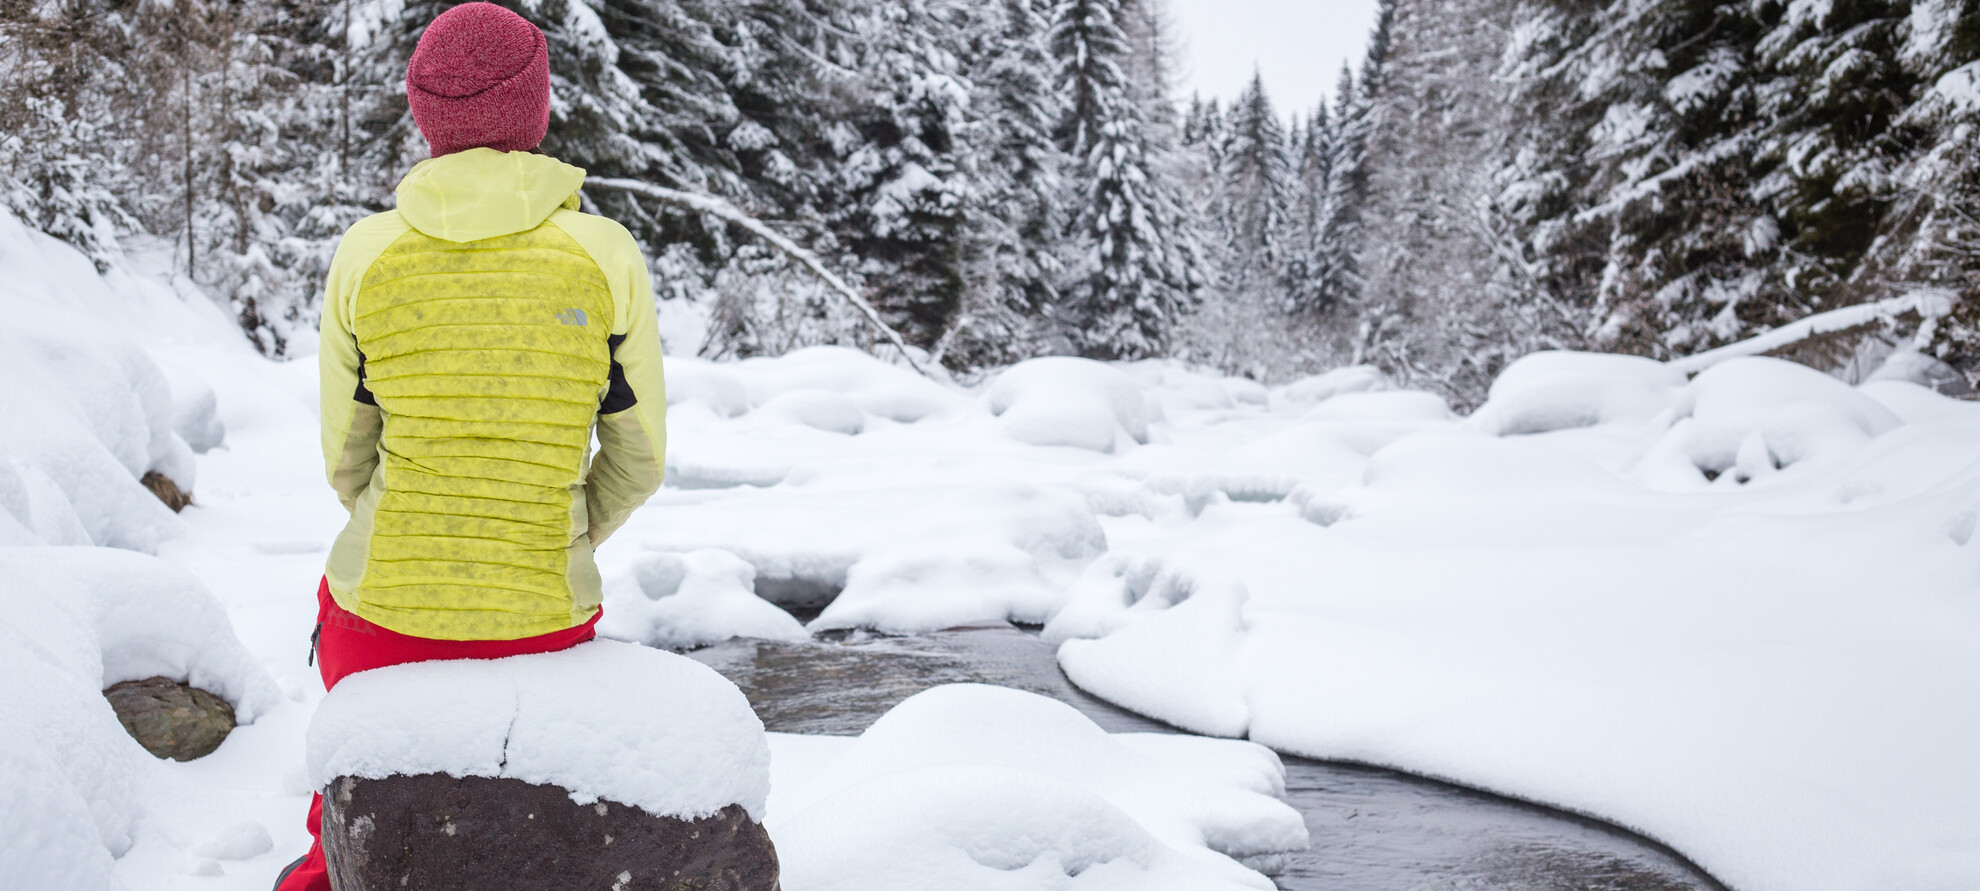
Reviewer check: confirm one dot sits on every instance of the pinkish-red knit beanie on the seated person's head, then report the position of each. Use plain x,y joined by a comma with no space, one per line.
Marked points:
480,78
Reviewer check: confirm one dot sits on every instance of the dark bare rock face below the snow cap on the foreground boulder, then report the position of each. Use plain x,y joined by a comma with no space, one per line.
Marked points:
441,833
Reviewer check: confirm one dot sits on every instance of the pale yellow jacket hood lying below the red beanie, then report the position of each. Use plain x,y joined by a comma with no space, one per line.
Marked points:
484,193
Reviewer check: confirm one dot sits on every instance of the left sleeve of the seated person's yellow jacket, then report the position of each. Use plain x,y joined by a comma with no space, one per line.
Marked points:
351,417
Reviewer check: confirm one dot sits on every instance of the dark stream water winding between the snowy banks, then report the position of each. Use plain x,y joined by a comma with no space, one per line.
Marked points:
1373,831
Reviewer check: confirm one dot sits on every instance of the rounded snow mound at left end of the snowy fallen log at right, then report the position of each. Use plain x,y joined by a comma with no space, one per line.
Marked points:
1565,391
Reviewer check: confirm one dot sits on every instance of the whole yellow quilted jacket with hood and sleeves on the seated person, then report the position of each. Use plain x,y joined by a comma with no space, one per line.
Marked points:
474,344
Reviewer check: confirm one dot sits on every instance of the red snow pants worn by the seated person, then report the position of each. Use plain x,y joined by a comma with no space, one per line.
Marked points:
349,644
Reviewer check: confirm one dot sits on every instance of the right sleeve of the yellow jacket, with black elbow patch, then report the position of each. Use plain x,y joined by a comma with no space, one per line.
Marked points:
633,419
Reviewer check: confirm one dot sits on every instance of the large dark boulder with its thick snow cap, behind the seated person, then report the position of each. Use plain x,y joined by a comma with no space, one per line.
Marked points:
601,767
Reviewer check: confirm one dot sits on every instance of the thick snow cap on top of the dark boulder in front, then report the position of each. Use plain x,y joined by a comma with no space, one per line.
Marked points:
607,722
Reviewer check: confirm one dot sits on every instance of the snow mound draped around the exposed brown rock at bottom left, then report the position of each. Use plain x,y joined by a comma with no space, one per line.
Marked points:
74,623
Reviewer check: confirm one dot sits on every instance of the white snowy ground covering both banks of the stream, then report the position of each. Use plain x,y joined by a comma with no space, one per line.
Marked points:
1735,613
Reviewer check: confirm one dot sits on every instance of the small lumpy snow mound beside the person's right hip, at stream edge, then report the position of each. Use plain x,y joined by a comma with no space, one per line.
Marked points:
692,601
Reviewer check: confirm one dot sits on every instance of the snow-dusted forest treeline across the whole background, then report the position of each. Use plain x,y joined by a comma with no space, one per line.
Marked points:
1021,177
